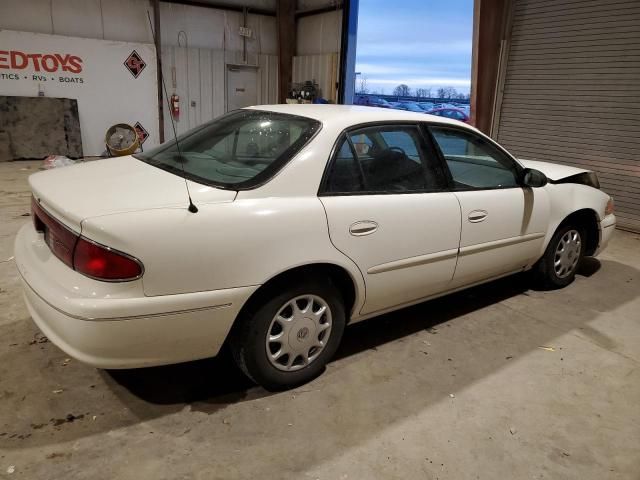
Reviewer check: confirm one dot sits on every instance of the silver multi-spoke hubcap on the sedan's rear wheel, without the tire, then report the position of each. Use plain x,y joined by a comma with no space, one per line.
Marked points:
298,332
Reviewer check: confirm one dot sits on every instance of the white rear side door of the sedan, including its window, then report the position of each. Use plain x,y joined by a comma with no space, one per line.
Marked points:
388,209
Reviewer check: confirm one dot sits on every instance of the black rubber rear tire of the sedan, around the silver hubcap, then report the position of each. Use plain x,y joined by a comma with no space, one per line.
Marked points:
248,339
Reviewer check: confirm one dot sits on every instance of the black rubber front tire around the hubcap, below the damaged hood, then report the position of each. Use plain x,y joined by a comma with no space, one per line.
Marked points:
545,270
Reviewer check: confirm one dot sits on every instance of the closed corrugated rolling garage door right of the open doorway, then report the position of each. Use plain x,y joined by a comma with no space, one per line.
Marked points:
572,92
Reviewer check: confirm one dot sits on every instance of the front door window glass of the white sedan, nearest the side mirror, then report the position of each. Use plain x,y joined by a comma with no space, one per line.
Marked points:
473,161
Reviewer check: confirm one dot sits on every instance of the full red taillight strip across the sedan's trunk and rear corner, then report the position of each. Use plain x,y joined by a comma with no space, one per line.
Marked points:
84,256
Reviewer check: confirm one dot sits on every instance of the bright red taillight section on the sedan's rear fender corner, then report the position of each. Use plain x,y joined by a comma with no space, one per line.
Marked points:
103,263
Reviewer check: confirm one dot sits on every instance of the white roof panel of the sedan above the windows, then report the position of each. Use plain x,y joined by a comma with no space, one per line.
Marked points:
347,115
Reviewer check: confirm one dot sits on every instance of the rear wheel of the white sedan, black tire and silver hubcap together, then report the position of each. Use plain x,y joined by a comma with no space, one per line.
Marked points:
291,335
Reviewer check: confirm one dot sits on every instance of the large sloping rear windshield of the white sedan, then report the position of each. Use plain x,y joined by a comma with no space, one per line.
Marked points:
240,150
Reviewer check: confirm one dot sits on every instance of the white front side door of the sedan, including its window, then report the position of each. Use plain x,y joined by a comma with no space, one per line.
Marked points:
503,224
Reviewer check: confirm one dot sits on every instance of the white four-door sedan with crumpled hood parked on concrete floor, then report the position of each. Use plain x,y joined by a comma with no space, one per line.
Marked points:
301,219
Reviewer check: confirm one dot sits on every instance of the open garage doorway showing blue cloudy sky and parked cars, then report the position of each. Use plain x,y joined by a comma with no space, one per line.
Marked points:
416,56
